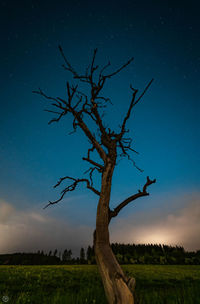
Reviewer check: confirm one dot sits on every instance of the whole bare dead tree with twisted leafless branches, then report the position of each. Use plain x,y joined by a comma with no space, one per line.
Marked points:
110,147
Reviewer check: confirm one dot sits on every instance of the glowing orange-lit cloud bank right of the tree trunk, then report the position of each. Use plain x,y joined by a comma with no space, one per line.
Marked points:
179,228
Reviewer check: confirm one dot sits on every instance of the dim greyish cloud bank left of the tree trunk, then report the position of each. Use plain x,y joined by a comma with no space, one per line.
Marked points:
30,231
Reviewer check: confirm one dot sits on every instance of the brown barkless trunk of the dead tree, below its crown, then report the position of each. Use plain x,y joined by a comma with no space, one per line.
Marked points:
118,287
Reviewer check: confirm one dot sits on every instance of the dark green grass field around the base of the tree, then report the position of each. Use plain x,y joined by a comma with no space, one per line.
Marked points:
155,284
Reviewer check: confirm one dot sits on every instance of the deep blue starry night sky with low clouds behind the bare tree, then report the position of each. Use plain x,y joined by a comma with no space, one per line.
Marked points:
163,37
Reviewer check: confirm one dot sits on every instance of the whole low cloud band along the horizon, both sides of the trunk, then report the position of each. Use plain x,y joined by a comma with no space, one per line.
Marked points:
32,231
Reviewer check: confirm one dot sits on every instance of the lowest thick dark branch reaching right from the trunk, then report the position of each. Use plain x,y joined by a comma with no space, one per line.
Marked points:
131,198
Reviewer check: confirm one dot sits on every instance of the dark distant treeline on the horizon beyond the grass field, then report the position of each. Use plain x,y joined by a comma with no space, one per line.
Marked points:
125,254
